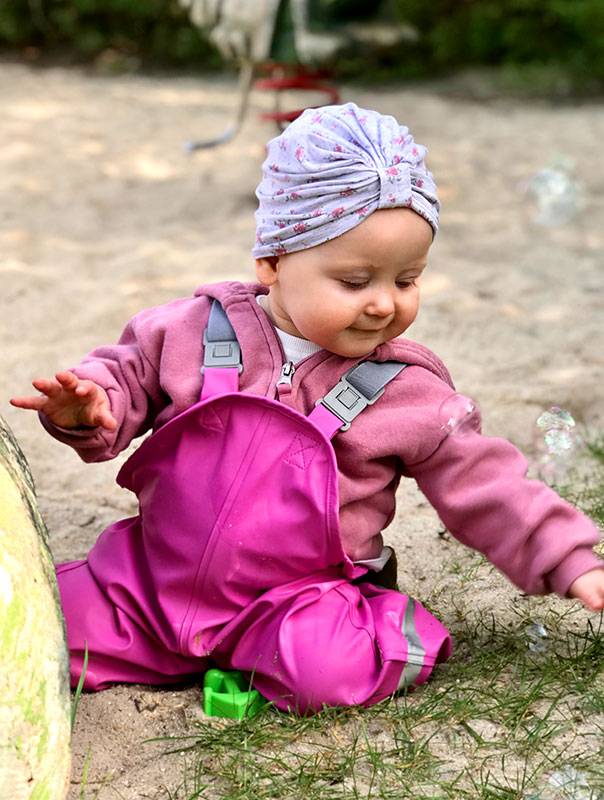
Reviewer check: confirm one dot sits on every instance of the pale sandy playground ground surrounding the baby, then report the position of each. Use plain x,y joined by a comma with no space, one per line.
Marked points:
102,214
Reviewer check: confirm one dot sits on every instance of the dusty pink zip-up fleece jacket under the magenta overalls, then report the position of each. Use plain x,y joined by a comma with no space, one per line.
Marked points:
477,484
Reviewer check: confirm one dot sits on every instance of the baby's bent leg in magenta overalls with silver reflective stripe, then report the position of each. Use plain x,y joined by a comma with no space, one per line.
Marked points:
335,644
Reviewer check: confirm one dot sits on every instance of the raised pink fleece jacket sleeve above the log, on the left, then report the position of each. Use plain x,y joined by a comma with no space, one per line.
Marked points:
139,373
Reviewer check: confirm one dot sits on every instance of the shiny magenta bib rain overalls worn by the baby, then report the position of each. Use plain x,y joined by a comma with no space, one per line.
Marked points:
235,559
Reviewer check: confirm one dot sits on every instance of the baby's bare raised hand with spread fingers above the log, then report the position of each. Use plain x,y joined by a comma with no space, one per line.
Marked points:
70,402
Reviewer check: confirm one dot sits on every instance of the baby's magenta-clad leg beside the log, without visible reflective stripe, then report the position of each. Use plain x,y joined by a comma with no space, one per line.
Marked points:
119,650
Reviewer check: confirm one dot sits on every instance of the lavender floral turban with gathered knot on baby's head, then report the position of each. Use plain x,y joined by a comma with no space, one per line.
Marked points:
329,170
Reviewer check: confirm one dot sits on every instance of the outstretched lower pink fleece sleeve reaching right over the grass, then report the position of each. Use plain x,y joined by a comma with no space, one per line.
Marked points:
479,488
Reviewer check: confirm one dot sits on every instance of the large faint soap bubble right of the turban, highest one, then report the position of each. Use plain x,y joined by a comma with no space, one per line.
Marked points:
557,197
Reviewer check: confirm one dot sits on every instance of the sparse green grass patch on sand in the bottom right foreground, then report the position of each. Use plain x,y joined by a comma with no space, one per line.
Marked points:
493,724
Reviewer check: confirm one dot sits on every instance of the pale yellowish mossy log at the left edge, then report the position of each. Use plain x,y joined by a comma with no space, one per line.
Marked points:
34,663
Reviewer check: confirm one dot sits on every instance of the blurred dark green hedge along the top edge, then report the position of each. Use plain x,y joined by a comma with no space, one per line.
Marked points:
553,47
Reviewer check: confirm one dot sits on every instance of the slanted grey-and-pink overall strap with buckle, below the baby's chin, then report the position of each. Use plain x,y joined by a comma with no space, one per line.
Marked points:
358,388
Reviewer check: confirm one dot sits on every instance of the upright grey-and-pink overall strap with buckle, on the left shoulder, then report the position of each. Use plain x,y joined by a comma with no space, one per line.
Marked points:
221,355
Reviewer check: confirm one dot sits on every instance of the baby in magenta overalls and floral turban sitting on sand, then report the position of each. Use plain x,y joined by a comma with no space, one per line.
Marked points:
284,415
